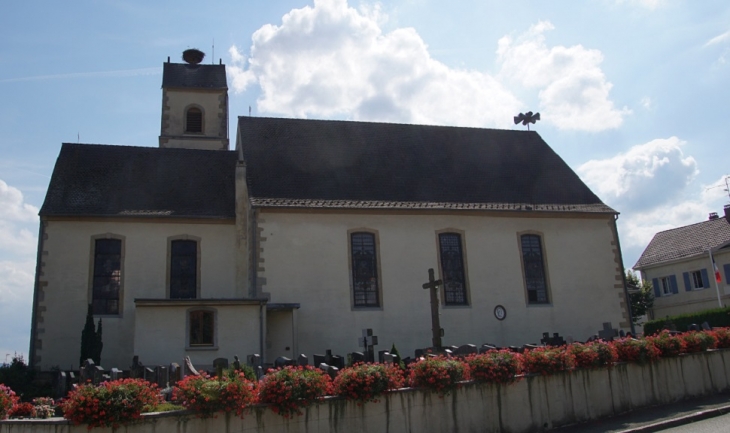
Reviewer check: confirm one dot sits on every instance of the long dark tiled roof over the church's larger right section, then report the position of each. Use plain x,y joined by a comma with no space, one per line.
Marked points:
321,163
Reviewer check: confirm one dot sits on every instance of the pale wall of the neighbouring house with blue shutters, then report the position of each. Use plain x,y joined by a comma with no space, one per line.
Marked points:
697,299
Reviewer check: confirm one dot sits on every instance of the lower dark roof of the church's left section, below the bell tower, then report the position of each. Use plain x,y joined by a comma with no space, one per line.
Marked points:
102,180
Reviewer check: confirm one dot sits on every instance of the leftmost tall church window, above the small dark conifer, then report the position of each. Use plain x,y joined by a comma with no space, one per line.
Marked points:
107,276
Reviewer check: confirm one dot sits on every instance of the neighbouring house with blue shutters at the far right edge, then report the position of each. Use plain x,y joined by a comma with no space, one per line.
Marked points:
678,263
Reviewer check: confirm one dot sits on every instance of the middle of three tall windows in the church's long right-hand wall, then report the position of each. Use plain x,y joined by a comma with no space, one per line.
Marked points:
452,269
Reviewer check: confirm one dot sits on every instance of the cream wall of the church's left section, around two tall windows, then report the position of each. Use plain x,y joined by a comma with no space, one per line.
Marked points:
66,268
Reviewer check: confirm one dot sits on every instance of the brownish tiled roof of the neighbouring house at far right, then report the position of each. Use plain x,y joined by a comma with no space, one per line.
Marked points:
684,242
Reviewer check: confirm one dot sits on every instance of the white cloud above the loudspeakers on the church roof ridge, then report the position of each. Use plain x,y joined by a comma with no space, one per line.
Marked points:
574,92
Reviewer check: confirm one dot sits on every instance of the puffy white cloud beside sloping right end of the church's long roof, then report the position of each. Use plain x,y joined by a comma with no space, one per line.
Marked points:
646,176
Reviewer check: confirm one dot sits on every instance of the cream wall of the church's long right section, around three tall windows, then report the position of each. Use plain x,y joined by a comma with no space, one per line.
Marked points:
305,260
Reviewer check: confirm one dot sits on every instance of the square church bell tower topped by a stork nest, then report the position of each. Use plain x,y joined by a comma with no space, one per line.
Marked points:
194,104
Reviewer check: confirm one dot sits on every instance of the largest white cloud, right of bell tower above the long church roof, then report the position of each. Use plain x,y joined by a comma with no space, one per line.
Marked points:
331,60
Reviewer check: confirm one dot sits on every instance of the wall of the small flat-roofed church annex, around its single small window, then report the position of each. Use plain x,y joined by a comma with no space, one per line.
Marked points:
161,333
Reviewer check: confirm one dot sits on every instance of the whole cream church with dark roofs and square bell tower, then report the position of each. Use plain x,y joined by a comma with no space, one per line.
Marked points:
311,231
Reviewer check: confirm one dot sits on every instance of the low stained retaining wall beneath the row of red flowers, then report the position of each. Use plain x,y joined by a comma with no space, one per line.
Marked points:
534,404
